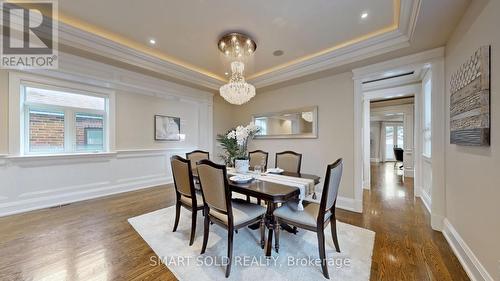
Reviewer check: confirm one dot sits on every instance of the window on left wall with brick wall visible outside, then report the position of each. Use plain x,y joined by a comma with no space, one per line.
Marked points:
63,120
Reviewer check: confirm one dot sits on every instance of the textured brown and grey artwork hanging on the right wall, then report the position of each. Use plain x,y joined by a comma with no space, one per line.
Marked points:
470,101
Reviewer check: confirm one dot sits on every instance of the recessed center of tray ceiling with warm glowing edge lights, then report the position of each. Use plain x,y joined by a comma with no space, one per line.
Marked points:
186,32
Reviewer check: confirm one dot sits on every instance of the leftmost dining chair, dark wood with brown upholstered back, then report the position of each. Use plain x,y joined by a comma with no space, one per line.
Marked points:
186,195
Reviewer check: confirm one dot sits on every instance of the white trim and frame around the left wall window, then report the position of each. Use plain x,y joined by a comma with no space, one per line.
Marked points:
18,111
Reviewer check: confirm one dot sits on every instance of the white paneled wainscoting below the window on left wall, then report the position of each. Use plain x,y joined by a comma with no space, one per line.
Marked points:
57,181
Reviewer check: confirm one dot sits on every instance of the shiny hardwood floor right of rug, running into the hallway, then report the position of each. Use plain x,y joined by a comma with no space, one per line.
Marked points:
406,248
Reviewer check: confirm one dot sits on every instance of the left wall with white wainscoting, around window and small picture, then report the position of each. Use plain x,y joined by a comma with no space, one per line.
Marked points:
34,182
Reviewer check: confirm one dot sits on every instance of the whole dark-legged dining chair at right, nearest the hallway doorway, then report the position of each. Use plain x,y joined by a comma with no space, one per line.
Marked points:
315,217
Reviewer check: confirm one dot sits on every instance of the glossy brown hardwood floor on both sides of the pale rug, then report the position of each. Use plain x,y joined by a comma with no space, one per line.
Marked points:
92,240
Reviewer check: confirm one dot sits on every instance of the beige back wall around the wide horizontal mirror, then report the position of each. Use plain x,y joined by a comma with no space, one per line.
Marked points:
334,97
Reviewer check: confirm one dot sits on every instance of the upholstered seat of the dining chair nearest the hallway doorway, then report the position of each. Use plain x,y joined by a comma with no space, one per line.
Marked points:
307,217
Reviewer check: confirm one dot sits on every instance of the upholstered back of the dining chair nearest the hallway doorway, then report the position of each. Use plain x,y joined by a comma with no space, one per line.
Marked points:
331,186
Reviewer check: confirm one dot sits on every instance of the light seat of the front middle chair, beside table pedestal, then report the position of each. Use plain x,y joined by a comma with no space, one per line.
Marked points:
243,212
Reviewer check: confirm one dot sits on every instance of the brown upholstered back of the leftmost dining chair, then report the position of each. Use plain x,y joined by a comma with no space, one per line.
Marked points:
183,177
